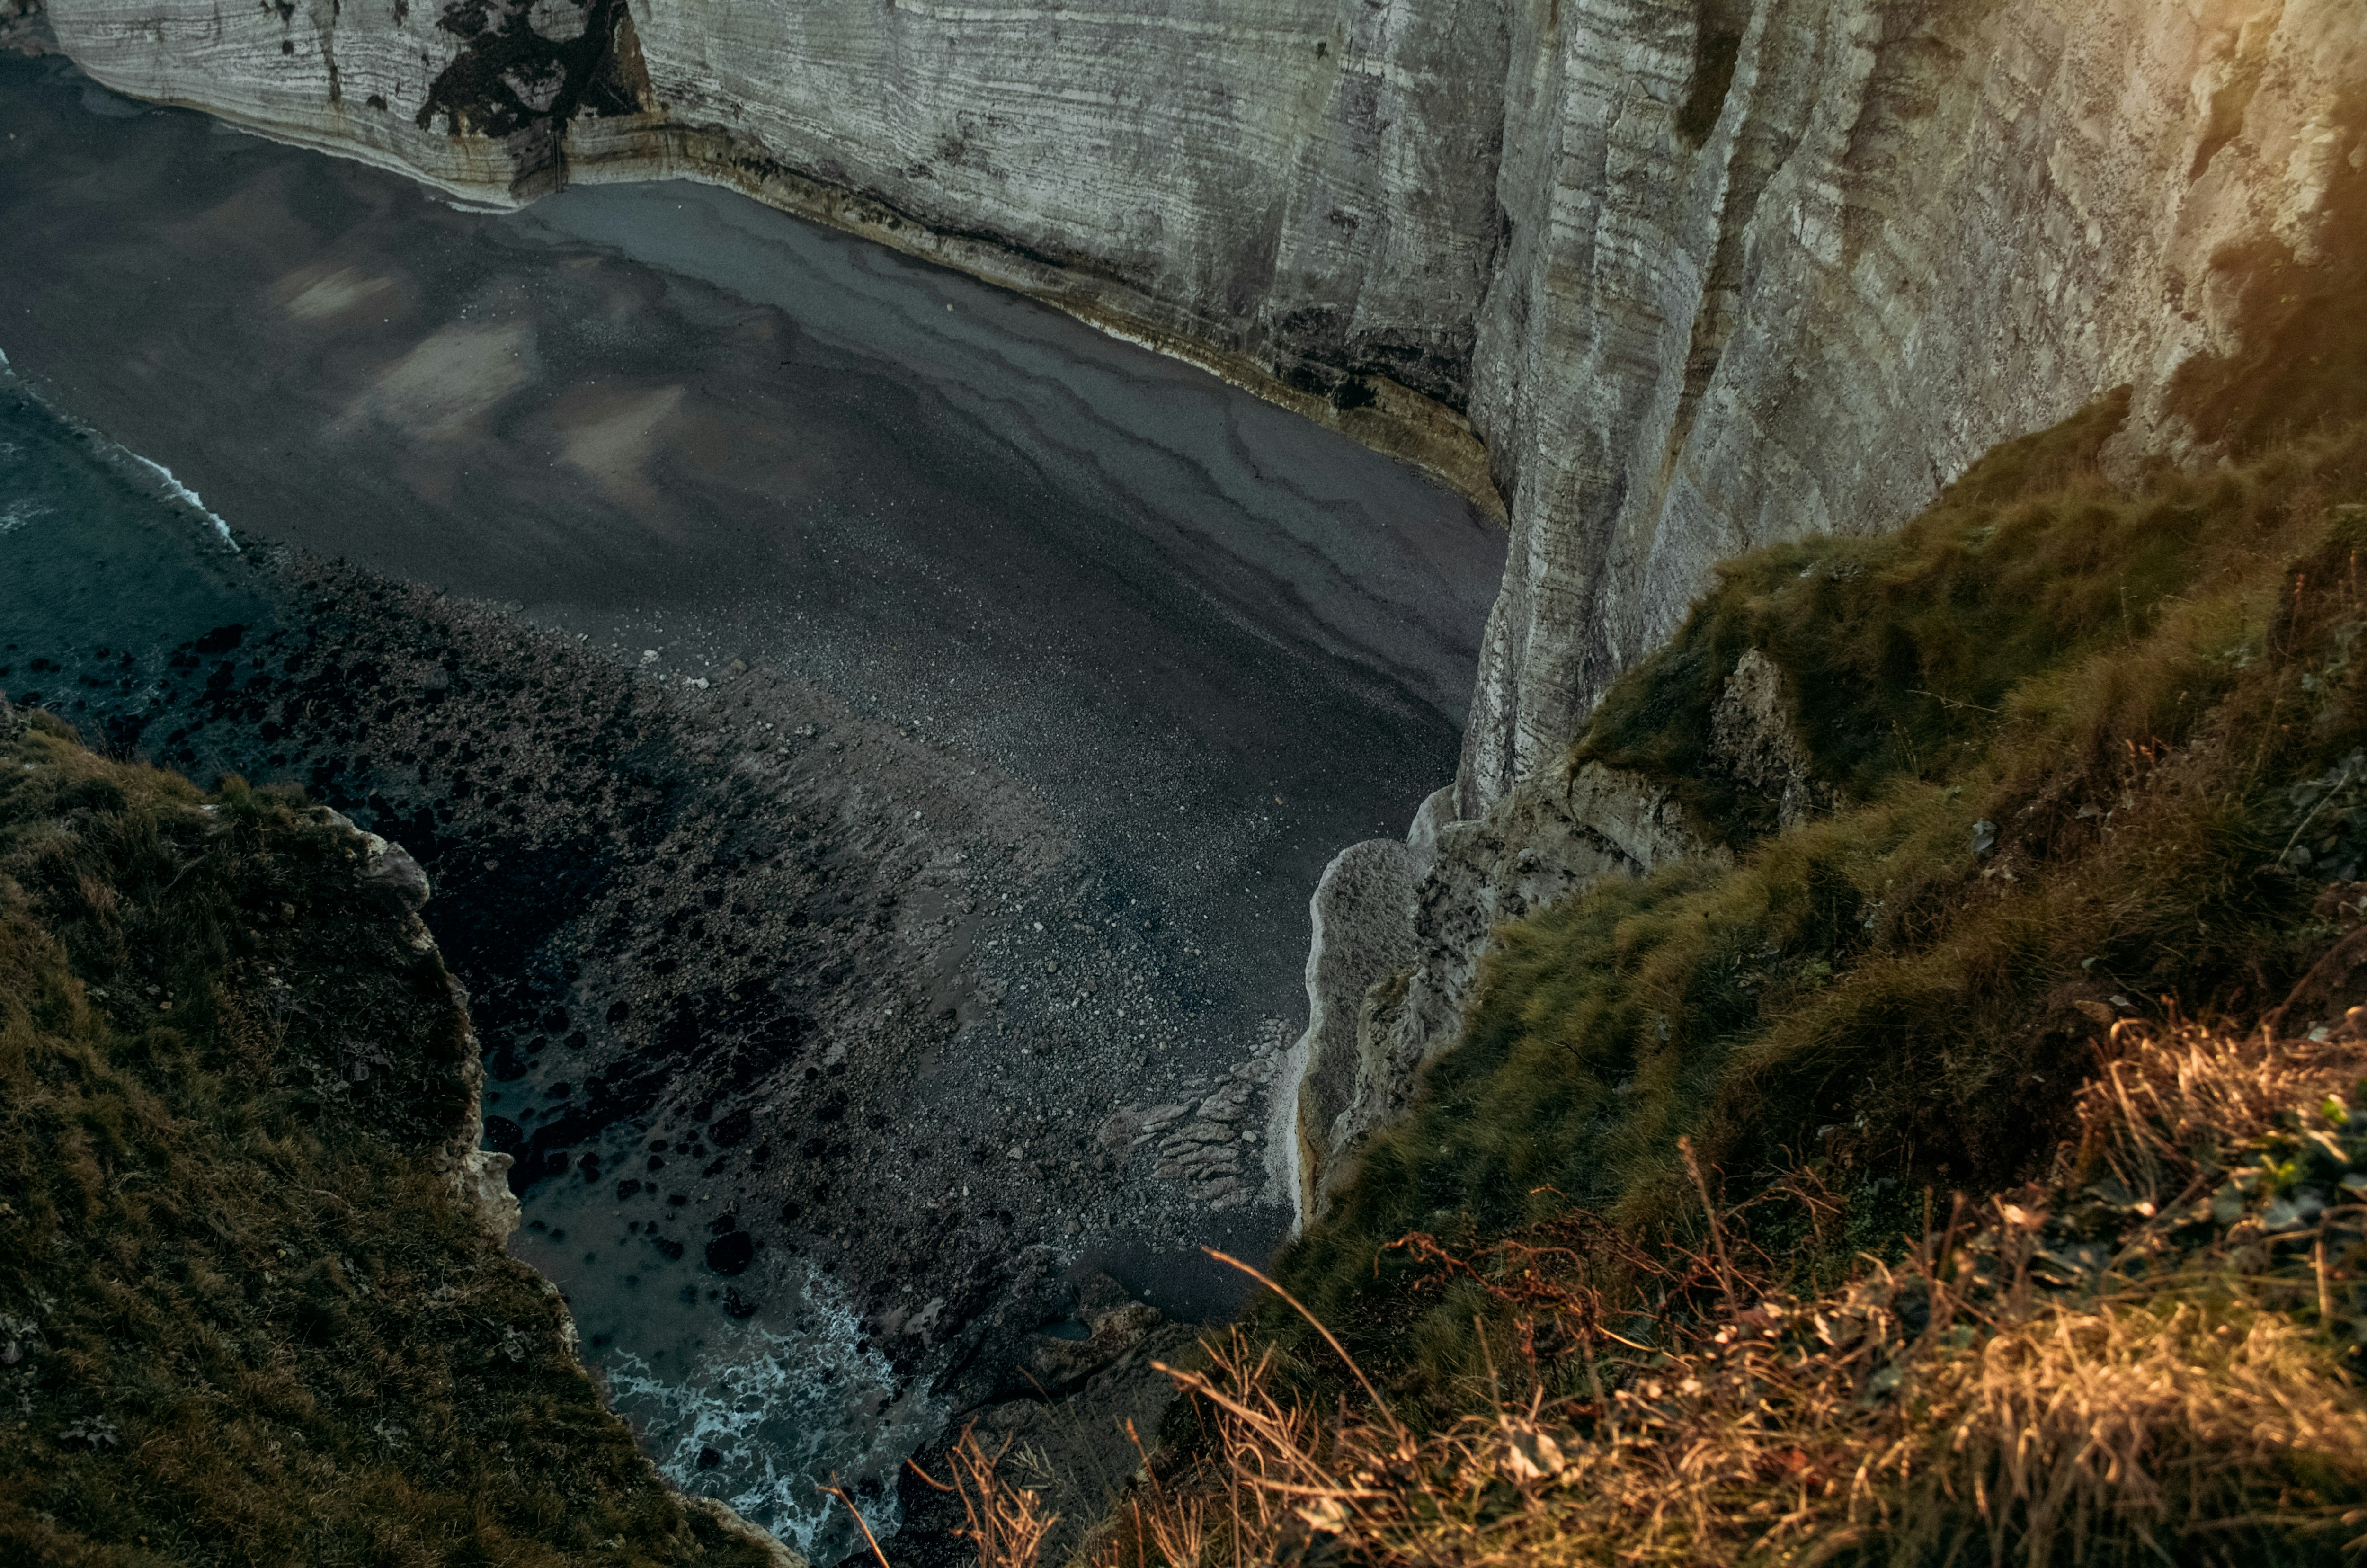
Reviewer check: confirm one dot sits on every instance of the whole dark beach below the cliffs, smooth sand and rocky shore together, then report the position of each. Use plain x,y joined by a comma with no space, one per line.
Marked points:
1040,679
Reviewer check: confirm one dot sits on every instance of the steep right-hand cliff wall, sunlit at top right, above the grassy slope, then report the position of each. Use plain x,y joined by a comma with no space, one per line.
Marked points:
1784,269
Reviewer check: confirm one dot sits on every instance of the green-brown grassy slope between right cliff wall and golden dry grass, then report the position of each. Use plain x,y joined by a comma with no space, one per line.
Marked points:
2134,686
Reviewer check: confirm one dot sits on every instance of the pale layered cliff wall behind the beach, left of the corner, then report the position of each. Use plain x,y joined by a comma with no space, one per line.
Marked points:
1298,193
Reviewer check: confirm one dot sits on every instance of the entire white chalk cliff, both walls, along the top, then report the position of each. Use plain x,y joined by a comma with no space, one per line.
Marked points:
1698,274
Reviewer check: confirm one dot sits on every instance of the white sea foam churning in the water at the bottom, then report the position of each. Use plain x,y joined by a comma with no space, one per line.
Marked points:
782,1415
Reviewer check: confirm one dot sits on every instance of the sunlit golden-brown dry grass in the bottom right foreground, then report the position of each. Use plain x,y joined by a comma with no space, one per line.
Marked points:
2049,1380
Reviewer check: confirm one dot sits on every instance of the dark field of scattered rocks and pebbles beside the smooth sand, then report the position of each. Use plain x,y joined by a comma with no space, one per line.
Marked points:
851,991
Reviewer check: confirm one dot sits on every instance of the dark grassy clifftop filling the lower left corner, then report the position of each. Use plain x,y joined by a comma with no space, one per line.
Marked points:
245,1316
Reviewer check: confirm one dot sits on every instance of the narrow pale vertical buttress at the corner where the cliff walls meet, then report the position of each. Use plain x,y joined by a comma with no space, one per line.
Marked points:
1604,335
